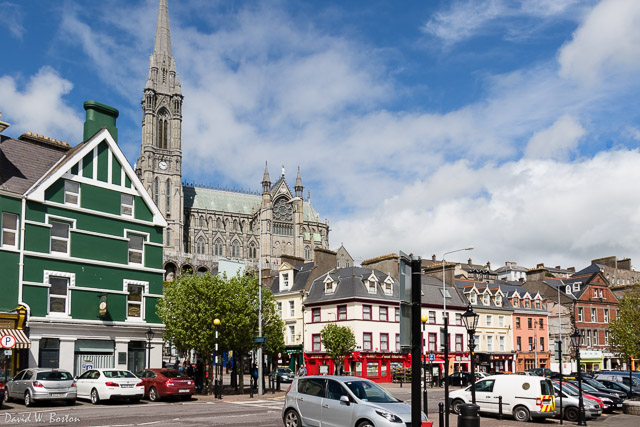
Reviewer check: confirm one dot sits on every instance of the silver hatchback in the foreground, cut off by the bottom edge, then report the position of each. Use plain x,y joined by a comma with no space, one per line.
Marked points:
339,401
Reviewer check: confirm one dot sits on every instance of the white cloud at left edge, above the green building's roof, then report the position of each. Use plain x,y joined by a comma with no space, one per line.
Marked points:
39,106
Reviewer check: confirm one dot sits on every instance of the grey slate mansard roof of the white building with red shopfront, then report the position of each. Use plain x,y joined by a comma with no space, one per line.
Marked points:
350,284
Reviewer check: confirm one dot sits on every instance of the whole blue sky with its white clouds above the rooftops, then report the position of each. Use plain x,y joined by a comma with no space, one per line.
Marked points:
424,126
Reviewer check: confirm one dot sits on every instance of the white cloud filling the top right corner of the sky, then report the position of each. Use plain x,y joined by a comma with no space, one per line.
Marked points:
606,45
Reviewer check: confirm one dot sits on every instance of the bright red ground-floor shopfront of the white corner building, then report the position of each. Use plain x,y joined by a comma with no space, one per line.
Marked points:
376,366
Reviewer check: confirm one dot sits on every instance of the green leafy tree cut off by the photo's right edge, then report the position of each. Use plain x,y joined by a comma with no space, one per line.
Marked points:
625,328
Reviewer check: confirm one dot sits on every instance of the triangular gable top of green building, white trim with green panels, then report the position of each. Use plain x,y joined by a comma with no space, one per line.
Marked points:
97,162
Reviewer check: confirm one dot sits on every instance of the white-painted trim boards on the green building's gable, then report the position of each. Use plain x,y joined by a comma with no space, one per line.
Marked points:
37,192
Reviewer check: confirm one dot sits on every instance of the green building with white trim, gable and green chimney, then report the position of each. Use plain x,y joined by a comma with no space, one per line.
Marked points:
81,248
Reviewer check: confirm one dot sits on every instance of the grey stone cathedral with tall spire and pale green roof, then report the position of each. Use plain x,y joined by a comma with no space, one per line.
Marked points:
206,225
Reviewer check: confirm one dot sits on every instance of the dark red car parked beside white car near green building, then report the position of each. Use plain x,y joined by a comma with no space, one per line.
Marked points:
159,383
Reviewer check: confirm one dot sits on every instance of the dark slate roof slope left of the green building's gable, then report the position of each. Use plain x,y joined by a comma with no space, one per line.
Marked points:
24,162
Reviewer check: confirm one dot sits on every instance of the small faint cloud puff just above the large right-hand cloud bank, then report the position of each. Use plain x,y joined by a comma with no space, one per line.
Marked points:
556,142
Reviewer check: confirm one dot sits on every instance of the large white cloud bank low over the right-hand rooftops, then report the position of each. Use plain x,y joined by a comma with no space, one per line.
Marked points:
530,211
